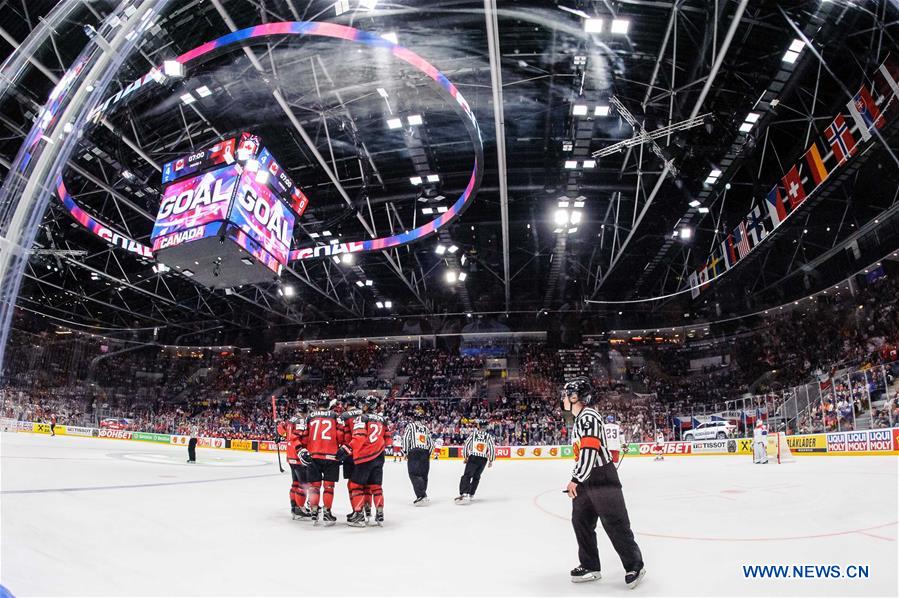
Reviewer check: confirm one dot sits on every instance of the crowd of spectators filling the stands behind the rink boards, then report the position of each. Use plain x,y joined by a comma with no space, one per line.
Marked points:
227,393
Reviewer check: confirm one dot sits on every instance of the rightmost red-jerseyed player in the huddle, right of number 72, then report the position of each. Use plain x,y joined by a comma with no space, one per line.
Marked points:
371,436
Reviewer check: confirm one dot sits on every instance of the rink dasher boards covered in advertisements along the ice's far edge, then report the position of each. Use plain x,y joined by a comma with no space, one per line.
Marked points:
835,444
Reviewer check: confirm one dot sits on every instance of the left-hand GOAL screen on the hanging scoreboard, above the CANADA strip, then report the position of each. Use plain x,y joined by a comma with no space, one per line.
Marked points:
196,201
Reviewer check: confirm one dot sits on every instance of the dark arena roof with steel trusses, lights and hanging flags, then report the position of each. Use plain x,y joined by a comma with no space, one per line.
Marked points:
639,144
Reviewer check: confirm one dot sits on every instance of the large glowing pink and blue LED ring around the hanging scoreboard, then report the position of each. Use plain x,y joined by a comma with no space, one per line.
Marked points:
321,29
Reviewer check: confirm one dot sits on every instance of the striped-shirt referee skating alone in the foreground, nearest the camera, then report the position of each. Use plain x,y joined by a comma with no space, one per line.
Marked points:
596,491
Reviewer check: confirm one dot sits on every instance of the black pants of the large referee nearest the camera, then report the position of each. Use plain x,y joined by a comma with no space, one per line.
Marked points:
600,498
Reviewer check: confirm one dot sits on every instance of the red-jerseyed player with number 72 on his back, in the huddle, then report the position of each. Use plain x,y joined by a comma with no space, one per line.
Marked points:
321,455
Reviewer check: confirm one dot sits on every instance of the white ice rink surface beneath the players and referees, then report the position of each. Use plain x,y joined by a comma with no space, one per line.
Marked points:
108,517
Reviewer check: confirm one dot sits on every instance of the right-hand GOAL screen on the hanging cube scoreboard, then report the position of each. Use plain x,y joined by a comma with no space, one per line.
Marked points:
259,213
